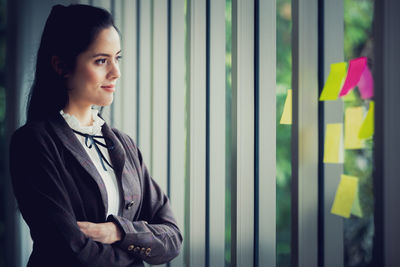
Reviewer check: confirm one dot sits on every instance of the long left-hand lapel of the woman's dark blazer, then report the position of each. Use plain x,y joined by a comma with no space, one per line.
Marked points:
71,142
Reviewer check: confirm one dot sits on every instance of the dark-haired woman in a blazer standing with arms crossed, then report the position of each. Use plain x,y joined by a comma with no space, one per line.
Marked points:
81,186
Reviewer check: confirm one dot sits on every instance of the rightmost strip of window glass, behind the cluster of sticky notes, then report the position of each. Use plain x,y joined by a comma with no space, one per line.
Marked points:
359,231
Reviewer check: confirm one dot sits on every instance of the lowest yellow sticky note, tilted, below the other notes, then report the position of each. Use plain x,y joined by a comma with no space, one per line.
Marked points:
345,196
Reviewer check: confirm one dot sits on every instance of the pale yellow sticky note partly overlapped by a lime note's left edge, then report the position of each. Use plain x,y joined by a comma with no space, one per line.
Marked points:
352,124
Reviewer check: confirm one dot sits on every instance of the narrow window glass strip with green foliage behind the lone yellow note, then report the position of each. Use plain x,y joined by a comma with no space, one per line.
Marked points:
283,135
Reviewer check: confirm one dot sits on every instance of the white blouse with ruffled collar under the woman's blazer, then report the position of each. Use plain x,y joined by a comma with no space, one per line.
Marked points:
109,178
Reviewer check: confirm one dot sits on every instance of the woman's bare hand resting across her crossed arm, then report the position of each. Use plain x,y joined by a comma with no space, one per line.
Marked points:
106,233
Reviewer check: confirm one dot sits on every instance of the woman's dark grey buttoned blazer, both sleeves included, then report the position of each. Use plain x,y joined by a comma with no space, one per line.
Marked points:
56,185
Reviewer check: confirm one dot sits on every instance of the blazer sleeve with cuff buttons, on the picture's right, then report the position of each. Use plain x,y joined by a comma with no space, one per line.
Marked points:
155,236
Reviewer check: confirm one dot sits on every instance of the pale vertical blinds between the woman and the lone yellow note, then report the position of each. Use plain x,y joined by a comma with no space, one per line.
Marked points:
172,101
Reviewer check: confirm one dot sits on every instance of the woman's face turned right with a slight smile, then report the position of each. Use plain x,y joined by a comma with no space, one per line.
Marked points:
96,72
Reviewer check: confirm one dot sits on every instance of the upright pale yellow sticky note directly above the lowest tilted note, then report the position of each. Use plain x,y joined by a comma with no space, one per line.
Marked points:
333,152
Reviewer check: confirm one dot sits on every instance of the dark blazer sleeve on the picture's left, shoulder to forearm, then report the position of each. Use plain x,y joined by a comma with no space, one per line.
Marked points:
45,205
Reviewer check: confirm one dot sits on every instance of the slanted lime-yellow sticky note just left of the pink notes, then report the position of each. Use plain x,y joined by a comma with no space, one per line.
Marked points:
334,82
